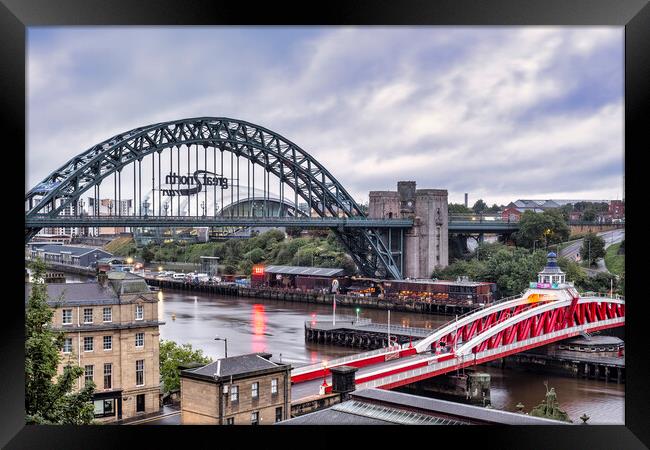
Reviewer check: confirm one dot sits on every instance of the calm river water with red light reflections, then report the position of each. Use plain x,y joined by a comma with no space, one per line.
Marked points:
277,327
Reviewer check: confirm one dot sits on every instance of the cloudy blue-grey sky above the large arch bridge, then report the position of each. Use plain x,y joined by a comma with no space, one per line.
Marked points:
499,112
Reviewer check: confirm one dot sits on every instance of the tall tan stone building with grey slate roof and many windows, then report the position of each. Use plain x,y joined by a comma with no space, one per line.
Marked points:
112,332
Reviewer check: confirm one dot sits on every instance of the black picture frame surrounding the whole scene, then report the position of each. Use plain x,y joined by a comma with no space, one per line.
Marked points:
634,15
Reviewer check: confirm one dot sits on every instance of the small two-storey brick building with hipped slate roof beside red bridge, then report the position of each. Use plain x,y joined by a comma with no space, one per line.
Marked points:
240,390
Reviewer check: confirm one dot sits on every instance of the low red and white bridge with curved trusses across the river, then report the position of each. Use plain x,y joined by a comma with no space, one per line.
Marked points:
510,326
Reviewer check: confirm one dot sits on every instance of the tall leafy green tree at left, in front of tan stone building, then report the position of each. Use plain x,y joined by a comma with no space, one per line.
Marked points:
48,401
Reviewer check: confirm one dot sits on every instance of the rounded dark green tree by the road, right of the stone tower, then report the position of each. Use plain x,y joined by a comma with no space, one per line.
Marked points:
548,227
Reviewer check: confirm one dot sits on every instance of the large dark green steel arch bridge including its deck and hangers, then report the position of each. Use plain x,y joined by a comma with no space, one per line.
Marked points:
57,200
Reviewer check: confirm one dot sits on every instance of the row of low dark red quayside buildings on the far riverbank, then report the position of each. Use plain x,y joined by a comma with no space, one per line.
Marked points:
462,291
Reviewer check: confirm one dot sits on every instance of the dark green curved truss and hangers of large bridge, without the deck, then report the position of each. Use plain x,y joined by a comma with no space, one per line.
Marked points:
298,174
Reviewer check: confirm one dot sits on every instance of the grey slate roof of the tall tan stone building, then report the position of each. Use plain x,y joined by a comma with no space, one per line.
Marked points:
75,294
